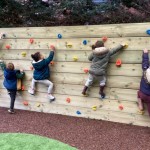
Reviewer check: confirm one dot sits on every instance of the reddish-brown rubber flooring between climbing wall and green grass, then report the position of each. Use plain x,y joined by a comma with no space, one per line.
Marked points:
84,134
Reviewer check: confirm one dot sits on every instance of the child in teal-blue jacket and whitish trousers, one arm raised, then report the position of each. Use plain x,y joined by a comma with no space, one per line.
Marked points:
42,72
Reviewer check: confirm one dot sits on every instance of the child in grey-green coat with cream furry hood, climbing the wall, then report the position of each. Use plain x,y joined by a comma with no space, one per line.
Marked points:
100,56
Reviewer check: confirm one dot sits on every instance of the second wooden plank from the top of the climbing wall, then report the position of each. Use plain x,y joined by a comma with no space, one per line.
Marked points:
134,43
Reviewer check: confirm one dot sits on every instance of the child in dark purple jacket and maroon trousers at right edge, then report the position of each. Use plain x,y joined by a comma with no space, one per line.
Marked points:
144,92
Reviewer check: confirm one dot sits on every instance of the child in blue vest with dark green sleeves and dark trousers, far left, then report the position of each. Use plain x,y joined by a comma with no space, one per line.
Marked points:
10,82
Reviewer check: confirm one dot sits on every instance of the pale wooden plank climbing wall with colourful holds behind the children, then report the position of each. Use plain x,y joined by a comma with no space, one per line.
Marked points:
68,75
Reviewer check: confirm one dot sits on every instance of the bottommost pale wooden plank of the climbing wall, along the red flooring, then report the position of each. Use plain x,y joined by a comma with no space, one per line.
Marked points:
85,112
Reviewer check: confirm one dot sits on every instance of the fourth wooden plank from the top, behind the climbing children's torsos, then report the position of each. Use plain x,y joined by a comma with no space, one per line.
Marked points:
78,67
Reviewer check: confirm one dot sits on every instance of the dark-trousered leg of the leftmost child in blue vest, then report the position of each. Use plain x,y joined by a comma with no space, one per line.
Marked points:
12,94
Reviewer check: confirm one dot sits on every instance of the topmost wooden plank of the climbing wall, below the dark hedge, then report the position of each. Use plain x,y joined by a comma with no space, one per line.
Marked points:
97,31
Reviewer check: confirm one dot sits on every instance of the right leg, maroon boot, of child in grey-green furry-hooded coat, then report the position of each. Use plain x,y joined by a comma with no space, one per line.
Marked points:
102,80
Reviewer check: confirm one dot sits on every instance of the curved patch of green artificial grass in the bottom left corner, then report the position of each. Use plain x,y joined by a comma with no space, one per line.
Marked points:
19,141
